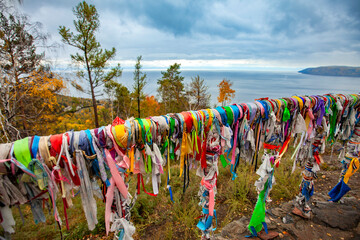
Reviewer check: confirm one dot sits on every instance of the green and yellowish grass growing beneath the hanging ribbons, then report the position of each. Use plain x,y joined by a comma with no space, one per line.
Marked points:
159,218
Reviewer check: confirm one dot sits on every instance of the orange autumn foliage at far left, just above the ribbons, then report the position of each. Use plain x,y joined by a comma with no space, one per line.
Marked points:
31,106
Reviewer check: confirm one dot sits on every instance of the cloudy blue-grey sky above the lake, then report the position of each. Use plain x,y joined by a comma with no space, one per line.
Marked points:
232,34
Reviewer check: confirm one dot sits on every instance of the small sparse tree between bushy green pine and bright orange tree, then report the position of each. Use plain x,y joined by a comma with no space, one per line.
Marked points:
198,93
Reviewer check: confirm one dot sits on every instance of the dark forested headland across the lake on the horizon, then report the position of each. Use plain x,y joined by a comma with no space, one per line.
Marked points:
333,71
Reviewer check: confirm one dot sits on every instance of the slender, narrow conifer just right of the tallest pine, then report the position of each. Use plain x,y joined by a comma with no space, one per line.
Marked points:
139,84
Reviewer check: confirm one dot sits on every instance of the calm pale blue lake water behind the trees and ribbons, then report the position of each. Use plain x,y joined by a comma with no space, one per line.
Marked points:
250,85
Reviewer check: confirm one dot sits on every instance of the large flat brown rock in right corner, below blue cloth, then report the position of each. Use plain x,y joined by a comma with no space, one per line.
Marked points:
335,215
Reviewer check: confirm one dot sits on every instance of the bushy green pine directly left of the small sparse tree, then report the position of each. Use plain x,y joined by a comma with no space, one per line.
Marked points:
171,89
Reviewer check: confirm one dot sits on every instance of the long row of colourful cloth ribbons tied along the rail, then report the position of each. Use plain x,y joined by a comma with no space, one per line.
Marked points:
97,163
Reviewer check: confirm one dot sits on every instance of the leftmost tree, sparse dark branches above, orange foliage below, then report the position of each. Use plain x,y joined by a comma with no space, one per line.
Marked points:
27,89
